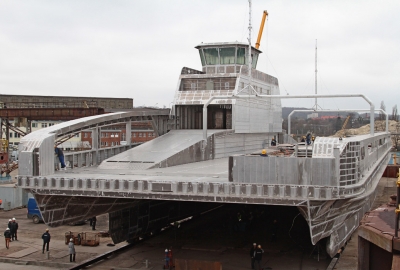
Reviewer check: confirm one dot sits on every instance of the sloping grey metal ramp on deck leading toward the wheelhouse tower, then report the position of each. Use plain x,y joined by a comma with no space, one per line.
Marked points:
174,148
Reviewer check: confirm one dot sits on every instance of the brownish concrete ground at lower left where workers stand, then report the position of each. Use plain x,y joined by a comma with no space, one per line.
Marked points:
28,248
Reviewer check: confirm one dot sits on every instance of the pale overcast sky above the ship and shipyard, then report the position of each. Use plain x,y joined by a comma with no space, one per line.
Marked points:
136,49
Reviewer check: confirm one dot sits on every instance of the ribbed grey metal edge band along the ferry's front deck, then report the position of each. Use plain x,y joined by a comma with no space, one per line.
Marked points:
195,191
